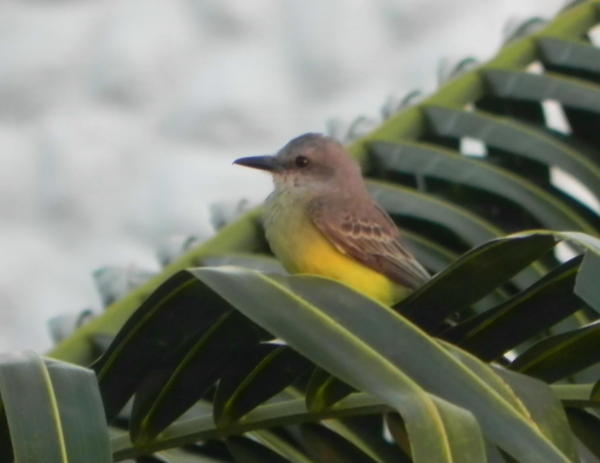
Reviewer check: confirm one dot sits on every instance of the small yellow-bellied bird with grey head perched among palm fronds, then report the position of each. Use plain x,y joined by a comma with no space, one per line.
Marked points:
320,219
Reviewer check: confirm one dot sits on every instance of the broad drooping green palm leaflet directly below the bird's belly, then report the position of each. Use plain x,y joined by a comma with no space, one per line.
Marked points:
331,309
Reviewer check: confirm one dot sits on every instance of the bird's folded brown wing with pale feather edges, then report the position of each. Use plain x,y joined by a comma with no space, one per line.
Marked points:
367,234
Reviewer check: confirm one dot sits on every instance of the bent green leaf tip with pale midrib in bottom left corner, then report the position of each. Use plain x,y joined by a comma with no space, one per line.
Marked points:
53,411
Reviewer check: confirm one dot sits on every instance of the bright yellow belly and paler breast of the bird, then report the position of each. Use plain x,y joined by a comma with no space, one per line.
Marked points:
302,248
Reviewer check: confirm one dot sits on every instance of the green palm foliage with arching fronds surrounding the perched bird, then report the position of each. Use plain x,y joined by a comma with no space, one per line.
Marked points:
224,357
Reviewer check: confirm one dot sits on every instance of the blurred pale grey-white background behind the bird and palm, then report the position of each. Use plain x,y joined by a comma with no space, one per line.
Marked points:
119,119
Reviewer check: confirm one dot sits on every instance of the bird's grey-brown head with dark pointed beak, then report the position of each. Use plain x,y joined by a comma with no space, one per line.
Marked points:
309,163
